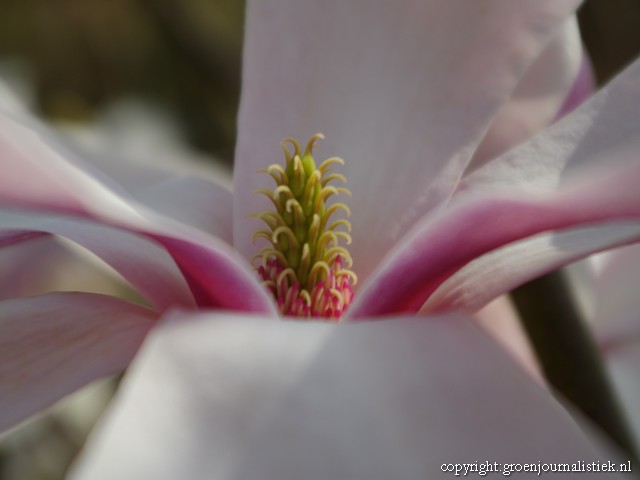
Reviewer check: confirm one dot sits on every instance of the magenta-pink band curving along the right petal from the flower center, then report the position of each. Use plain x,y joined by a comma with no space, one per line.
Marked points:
438,248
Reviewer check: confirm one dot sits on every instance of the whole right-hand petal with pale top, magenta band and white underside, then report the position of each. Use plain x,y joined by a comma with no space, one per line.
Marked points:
581,172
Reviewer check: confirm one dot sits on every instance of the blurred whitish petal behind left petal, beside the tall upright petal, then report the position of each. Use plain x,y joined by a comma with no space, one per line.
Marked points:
134,146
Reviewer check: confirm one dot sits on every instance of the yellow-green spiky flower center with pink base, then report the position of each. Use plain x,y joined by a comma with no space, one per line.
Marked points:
304,266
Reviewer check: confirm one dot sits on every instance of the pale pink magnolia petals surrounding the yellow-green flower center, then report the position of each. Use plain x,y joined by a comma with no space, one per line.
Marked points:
419,99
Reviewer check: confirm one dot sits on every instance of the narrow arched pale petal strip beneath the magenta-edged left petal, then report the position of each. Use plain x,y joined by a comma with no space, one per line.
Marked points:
141,262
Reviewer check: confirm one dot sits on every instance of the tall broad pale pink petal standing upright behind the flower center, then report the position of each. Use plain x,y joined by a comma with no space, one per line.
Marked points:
404,92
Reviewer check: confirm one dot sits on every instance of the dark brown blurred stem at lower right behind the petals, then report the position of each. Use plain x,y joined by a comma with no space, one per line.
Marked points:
569,356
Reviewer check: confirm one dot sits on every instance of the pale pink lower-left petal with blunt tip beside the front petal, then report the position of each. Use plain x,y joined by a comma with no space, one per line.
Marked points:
54,344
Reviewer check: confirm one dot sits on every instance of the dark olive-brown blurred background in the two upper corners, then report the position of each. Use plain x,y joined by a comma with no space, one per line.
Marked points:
185,55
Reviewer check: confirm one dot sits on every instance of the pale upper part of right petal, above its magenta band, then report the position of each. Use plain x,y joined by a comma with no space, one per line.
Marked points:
603,133
